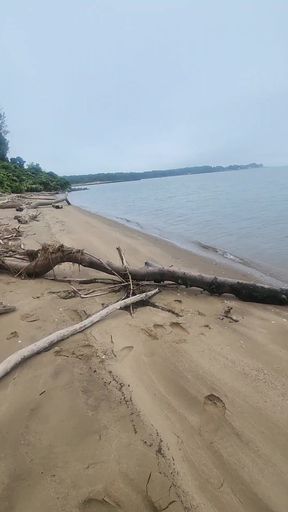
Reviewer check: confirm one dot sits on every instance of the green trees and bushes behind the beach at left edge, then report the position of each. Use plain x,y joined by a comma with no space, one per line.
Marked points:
17,177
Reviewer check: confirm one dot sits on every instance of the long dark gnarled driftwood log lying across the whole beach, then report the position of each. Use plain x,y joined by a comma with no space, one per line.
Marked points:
39,262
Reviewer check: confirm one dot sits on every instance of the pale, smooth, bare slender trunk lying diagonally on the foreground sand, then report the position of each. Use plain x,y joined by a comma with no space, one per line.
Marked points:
39,346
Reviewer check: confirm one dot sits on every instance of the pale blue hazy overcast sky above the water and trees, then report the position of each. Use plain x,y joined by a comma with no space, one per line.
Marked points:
103,85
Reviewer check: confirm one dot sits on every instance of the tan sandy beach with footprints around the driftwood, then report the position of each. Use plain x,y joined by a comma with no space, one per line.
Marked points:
160,411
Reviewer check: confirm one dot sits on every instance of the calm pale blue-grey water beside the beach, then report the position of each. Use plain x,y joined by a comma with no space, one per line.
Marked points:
239,215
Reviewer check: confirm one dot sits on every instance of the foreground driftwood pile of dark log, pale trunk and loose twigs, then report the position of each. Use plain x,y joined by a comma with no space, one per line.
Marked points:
37,263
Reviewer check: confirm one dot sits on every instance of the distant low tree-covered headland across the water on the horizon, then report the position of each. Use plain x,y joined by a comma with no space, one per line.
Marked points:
111,177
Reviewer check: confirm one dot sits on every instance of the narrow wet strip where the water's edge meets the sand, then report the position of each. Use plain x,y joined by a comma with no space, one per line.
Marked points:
232,264
